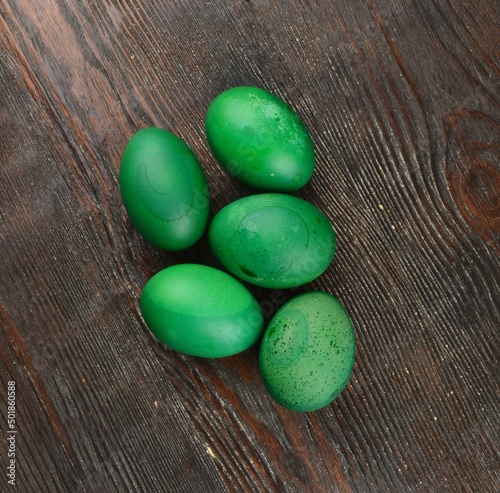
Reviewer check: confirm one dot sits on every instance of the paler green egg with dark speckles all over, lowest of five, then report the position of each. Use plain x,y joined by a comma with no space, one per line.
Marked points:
307,352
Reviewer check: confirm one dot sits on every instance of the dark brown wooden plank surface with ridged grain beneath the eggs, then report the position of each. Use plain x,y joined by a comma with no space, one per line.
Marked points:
402,99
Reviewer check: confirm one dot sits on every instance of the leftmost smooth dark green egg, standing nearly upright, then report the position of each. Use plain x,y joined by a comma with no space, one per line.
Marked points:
164,189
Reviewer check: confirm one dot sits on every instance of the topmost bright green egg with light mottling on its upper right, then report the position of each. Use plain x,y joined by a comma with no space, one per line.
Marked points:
259,139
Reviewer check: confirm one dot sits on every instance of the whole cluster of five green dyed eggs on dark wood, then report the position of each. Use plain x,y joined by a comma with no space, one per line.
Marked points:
271,239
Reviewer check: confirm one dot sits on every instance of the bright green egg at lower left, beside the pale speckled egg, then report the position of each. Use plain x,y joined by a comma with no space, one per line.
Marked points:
201,311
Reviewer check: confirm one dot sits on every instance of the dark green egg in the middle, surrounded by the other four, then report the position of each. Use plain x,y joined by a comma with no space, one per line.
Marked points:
273,240
